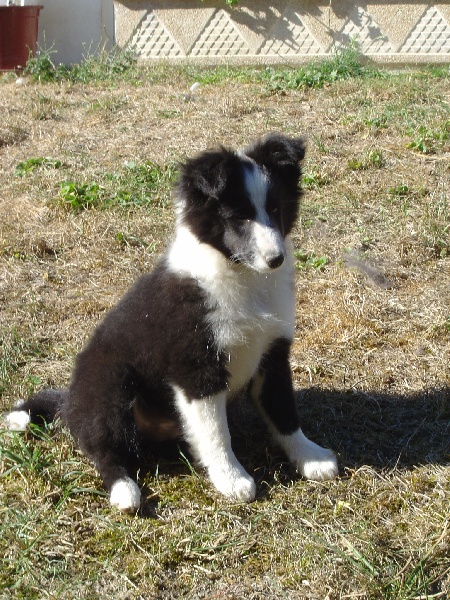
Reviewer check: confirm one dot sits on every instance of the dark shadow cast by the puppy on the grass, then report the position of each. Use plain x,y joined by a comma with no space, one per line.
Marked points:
377,429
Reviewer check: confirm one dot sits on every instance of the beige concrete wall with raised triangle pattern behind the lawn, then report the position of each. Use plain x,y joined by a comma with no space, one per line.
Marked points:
269,32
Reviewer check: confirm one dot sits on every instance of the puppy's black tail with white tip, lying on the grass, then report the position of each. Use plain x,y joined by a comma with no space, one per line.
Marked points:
41,408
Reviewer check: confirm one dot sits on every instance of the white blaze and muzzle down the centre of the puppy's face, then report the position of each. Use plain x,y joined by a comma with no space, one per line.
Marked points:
269,248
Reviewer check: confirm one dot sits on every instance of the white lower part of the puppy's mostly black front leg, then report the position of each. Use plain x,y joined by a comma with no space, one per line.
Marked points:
312,461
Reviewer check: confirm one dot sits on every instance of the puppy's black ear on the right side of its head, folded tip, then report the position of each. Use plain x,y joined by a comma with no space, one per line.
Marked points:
276,151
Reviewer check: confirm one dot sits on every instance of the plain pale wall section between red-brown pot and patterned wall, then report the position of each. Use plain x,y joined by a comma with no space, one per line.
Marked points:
75,27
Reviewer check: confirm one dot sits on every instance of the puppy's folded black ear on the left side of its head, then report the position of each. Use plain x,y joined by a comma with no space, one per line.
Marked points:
204,177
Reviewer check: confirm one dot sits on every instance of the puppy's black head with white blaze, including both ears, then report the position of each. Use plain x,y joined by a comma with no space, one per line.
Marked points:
244,203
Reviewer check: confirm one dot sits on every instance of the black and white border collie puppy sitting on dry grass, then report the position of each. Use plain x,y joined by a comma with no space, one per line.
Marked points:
214,318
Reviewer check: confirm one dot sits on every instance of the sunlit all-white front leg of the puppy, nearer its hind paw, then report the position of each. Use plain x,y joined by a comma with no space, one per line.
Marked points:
206,429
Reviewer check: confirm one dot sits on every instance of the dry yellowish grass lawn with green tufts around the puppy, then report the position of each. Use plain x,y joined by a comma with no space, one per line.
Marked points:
87,161
